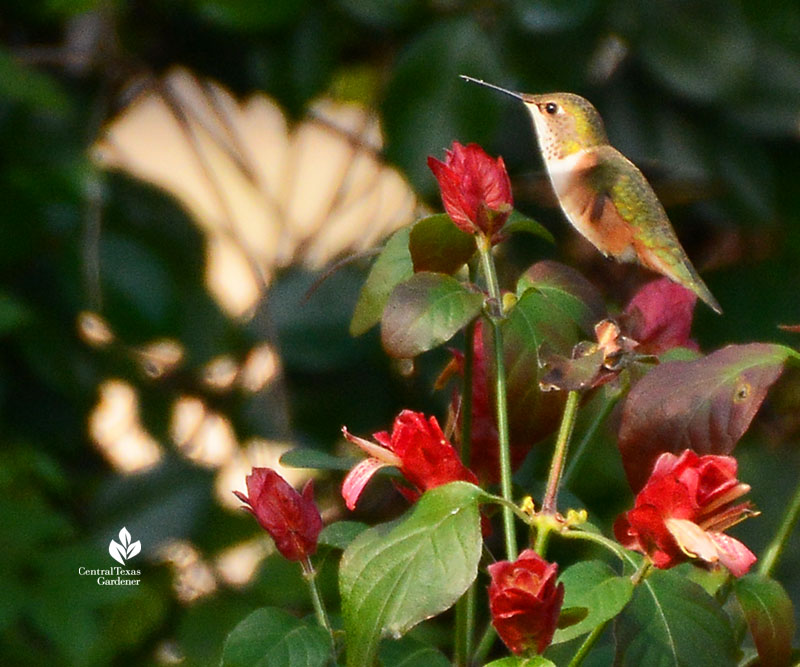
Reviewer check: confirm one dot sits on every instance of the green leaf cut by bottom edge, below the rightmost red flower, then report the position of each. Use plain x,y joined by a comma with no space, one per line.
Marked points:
673,622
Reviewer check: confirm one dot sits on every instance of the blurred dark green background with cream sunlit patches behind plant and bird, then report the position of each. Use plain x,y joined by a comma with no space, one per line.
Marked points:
177,175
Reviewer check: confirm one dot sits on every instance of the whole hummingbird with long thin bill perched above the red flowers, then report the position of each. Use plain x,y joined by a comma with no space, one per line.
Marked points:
601,192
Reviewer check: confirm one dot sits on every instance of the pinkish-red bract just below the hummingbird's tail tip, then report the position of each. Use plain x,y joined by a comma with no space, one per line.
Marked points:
659,317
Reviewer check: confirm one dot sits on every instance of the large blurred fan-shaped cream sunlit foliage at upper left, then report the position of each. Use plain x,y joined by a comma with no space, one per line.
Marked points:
264,194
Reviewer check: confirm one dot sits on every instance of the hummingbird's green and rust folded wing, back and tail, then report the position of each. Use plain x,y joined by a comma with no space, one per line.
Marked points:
622,193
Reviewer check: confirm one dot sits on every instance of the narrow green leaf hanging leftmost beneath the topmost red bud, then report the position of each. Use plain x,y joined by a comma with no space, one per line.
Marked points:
392,267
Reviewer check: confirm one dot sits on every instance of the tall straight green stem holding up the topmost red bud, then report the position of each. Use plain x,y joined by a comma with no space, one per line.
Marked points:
495,315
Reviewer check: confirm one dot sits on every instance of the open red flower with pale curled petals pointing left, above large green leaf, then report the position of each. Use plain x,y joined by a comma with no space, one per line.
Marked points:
416,446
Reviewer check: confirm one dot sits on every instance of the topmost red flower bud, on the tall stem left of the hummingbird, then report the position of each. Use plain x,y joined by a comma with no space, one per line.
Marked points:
476,190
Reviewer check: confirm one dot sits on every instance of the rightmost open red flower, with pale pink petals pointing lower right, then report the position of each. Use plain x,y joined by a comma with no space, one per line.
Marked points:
682,510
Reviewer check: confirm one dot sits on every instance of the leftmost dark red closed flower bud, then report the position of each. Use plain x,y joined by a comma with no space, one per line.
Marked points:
292,520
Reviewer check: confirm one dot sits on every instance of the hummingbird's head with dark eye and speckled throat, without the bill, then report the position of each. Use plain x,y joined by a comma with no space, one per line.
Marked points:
565,123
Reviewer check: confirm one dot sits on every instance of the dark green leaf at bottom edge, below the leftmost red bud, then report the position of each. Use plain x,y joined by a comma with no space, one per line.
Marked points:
272,636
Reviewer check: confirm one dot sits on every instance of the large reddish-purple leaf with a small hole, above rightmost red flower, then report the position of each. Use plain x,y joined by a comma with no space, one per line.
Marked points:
705,405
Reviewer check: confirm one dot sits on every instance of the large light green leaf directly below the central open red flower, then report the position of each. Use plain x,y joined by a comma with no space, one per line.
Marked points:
394,576
